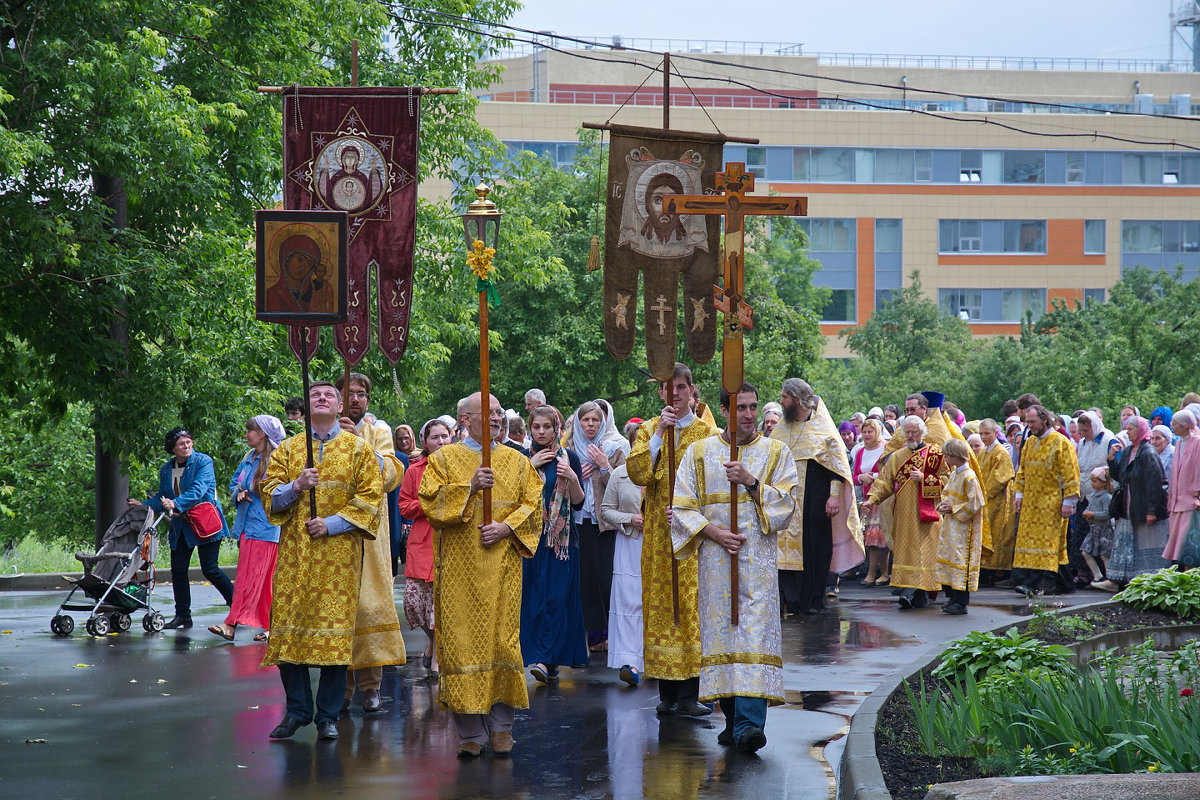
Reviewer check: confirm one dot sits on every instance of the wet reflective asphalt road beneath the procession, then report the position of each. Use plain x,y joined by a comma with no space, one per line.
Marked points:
188,709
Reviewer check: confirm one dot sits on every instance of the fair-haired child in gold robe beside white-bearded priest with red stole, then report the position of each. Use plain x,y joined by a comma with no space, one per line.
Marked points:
962,542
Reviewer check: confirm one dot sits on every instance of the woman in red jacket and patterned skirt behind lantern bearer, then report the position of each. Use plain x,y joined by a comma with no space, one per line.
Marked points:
419,549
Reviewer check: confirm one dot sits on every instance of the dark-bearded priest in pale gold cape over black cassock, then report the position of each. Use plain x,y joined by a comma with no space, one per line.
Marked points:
824,533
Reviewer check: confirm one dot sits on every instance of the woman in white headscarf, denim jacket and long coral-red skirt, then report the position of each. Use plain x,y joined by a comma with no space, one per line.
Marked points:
259,540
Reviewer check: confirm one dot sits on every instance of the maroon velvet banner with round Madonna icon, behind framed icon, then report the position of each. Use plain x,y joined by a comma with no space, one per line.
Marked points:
355,149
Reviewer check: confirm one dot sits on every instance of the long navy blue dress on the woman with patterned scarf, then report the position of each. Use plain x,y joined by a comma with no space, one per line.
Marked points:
551,611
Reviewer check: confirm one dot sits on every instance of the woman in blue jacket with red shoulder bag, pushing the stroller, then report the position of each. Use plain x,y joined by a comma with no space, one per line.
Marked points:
185,482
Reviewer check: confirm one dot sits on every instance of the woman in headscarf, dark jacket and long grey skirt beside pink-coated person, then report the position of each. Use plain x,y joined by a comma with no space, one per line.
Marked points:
1142,531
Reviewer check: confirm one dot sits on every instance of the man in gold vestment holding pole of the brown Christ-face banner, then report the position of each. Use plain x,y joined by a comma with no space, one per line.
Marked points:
673,652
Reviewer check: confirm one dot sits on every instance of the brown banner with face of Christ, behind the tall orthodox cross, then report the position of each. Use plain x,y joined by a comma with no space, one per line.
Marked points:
645,167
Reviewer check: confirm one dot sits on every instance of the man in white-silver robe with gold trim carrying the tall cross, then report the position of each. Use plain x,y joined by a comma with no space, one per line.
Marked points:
742,665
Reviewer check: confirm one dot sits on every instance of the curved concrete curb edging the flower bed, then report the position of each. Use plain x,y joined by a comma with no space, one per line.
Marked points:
861,777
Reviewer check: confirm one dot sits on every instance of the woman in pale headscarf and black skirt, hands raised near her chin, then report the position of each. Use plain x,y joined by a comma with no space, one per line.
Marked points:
599,454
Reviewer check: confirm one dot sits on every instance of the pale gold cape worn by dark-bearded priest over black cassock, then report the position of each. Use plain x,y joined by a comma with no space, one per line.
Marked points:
818,440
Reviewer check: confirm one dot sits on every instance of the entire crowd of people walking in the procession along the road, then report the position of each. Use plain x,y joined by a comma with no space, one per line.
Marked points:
668,544
